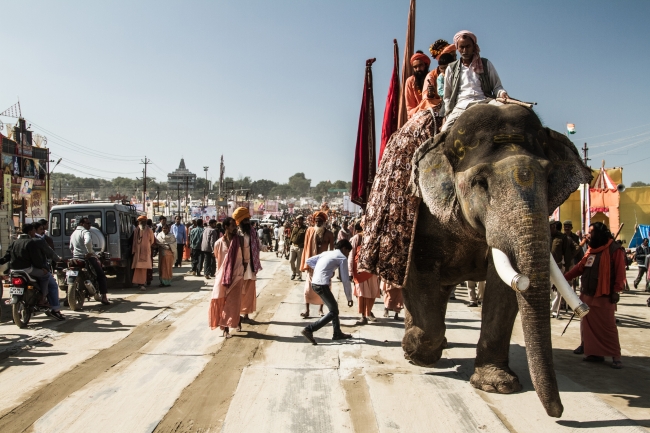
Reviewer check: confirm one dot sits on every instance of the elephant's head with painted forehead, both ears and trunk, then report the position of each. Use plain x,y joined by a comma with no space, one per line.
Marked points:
499,173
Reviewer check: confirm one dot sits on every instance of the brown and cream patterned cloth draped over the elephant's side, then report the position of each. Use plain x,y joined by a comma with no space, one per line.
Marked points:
391,211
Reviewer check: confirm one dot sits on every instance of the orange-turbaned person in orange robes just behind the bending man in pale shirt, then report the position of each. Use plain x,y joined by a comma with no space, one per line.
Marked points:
317,240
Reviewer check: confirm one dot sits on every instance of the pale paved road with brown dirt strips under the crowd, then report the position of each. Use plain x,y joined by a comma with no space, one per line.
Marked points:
150,363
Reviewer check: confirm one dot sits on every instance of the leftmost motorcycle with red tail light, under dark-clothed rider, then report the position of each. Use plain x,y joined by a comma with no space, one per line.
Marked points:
25,297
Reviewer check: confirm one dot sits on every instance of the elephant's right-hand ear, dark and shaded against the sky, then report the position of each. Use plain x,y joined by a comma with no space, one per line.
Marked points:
567,169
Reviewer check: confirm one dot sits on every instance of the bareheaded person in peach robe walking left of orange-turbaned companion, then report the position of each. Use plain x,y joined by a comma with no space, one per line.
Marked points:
226,293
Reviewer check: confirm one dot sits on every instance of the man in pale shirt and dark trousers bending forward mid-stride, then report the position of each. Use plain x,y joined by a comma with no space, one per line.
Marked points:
324,266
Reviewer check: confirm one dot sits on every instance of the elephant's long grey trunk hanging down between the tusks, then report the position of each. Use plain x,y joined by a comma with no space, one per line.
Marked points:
531,252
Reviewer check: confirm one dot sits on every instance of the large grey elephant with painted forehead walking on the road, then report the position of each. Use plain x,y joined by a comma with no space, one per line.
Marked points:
489,184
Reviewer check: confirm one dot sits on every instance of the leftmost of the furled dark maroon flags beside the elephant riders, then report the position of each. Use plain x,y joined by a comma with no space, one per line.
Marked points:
364,155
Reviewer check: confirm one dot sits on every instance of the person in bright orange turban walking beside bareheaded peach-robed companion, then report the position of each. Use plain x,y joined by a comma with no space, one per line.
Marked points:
251,257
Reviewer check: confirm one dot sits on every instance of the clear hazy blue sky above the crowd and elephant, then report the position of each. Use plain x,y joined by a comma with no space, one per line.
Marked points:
275,86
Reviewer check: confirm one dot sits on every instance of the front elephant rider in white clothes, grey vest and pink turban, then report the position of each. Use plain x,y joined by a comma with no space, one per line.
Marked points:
469,81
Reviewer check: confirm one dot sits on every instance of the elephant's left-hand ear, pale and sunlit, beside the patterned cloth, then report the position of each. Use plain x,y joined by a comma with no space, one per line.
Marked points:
432,176
